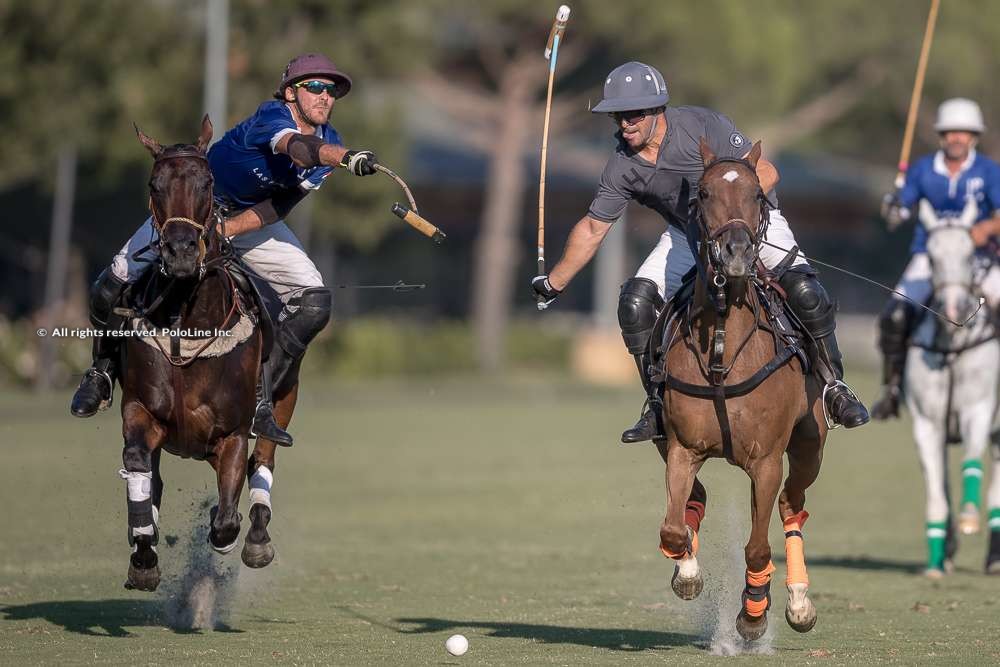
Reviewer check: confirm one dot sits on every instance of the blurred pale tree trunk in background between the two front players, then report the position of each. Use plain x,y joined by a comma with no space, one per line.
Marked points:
496,246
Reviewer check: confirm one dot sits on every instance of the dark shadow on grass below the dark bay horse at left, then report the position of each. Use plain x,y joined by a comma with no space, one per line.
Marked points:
101,618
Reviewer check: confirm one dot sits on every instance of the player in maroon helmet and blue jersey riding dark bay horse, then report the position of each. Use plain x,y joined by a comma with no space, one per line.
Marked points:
263,167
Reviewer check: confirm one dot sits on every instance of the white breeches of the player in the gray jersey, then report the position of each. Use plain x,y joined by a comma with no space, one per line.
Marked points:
672,258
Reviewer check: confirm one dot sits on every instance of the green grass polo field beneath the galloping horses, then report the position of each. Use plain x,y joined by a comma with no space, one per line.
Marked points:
506,512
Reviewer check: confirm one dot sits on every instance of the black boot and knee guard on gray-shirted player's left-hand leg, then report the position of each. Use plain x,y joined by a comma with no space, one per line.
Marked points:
638,305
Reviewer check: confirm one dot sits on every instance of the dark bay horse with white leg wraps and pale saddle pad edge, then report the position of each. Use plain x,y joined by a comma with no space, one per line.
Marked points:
191,368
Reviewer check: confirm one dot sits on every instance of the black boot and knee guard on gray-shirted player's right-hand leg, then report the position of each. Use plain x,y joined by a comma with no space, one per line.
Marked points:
817,312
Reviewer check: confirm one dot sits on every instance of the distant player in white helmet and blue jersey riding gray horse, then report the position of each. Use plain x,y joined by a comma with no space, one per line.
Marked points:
945,179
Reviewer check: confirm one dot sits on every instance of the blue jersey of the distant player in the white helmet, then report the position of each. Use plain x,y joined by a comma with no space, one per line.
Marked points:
929,179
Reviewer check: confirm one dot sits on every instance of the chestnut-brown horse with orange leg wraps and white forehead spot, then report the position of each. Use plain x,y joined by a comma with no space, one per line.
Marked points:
735,388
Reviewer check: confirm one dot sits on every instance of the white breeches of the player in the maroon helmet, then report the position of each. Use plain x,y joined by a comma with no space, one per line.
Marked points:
273,252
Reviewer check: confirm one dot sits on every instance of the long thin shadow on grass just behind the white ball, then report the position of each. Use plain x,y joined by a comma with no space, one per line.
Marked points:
616,639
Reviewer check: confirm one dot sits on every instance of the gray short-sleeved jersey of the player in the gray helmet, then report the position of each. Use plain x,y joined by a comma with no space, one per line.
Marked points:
628,176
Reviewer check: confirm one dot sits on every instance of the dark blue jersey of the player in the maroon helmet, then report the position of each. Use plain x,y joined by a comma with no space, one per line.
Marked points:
246,168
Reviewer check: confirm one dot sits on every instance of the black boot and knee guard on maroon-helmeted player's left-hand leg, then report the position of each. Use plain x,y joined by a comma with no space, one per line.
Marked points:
96,390
